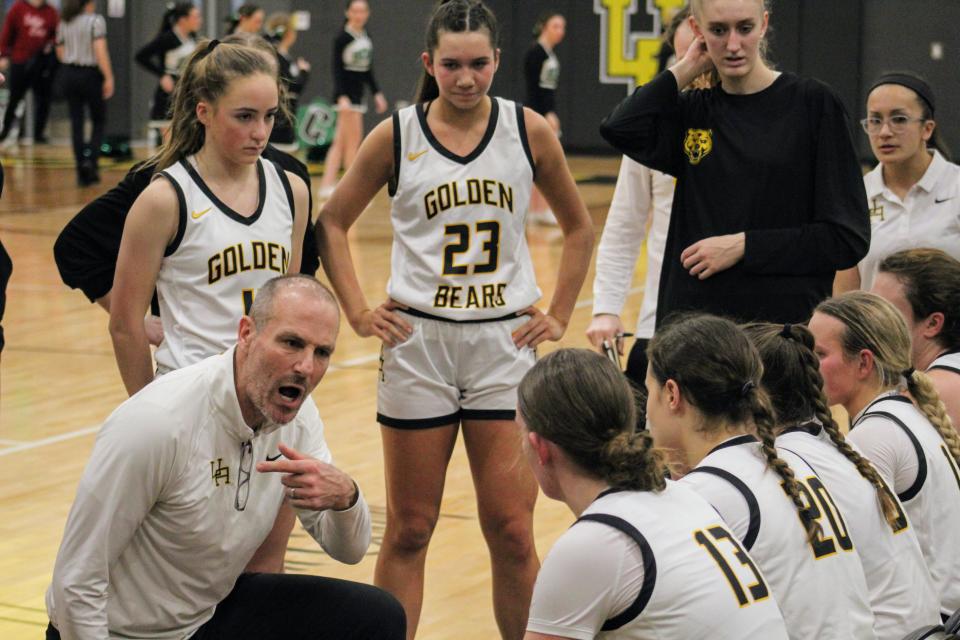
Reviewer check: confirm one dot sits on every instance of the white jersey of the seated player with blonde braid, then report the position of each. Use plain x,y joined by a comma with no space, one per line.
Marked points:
933,501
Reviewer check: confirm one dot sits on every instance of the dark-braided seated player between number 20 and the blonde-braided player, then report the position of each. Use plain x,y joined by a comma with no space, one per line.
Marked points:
902,594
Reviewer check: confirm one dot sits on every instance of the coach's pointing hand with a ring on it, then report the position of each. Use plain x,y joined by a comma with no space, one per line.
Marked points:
311,483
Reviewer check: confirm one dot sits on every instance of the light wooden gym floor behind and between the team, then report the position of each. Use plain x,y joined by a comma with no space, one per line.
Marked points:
59,380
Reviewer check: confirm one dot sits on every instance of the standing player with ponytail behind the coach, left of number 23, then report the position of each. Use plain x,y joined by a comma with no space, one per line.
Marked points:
216,223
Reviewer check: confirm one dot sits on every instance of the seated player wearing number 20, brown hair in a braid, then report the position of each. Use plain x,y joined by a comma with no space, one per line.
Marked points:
706,404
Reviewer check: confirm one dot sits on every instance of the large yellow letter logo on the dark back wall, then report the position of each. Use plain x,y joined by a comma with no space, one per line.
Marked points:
628,57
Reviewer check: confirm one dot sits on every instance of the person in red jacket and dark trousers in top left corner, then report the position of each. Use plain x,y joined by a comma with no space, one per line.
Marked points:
27,56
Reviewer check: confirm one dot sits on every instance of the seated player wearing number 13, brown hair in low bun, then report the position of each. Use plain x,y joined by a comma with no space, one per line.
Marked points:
647,557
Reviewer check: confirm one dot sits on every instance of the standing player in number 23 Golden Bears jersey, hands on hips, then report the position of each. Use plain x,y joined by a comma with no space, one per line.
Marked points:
459,327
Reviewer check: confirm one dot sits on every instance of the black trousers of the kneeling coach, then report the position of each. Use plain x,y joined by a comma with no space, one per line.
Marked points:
272,606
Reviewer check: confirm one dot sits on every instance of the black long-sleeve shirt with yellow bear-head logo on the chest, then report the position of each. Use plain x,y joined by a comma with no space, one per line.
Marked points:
778,165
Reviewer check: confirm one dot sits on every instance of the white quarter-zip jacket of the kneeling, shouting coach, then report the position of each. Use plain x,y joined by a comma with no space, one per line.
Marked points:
156,536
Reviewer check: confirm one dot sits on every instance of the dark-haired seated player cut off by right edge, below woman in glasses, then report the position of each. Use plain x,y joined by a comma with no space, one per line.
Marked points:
924,286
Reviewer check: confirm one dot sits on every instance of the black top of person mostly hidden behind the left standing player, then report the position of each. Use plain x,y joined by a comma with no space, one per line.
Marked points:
86,250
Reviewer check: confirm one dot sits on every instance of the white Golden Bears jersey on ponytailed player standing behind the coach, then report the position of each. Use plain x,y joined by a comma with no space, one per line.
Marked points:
213,268
